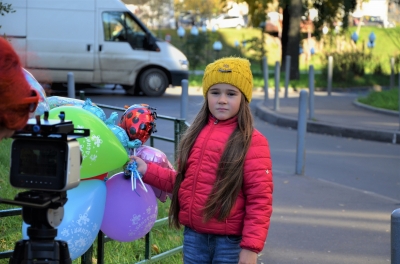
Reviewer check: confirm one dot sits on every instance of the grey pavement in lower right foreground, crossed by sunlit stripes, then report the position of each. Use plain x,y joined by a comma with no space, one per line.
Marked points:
319,222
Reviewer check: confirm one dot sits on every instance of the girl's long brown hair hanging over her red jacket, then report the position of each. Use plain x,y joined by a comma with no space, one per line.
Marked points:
230,168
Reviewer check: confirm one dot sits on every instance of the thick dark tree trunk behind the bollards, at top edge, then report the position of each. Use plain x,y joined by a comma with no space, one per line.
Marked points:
291,37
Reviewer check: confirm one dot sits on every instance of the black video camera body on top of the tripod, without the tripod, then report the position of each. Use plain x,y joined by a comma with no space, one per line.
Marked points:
45,155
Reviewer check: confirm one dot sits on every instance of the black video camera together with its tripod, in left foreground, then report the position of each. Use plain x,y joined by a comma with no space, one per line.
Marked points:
46,160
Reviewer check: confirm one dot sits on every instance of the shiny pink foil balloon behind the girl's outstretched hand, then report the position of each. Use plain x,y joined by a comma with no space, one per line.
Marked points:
150,154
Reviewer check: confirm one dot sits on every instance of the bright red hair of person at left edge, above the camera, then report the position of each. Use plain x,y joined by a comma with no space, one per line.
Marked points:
17,98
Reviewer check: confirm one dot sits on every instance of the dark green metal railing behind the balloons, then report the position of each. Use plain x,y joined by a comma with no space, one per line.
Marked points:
180,125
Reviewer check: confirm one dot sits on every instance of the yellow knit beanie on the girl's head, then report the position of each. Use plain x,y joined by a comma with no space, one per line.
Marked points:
231,70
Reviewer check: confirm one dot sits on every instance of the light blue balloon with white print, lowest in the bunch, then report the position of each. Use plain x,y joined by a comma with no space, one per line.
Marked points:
83,214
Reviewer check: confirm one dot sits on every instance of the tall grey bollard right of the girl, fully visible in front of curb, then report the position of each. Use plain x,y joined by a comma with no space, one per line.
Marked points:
301,133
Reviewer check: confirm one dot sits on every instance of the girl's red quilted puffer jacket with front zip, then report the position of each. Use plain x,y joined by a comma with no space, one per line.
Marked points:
250,216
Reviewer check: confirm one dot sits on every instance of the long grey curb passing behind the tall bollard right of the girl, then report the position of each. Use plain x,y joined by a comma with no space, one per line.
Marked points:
274,118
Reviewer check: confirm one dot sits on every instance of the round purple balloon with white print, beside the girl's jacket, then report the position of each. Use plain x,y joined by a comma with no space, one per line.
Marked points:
128,214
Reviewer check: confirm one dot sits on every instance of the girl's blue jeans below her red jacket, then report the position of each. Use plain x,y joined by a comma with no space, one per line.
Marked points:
205,248
